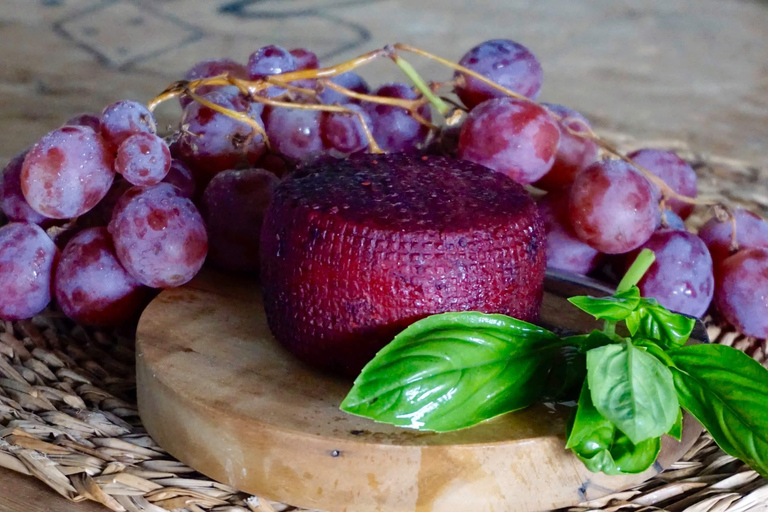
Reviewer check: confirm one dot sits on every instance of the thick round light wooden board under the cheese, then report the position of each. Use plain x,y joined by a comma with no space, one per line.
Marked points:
220,394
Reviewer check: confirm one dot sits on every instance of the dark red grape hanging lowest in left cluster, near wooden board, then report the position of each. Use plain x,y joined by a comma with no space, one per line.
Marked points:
90,284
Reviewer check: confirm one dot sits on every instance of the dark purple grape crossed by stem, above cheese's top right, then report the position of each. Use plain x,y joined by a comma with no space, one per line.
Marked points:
394,129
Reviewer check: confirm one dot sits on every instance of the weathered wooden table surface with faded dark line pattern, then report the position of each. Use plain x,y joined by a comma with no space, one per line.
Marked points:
694,71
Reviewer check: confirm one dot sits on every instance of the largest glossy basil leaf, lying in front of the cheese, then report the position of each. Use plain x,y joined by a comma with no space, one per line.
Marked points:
454,370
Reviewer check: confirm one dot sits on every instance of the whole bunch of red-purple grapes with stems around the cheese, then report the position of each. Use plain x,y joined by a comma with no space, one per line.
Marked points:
129,211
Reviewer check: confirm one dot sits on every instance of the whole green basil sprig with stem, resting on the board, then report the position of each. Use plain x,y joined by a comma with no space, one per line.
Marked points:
454,370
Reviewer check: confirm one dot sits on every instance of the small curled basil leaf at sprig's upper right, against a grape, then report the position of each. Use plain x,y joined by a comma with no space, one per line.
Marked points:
652,320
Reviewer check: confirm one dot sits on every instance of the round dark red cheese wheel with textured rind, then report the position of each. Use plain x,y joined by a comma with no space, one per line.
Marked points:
355,250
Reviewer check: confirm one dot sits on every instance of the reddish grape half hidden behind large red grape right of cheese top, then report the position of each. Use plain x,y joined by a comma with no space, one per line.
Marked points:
573,154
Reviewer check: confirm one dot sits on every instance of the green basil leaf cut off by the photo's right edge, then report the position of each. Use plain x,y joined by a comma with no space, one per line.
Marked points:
727,391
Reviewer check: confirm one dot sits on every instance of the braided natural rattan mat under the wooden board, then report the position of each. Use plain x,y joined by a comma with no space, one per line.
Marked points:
68,414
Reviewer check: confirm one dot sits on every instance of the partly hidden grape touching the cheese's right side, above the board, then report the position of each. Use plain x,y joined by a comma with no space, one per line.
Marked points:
564,250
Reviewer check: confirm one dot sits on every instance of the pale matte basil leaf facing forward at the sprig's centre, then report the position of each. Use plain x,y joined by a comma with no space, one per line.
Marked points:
633,389
